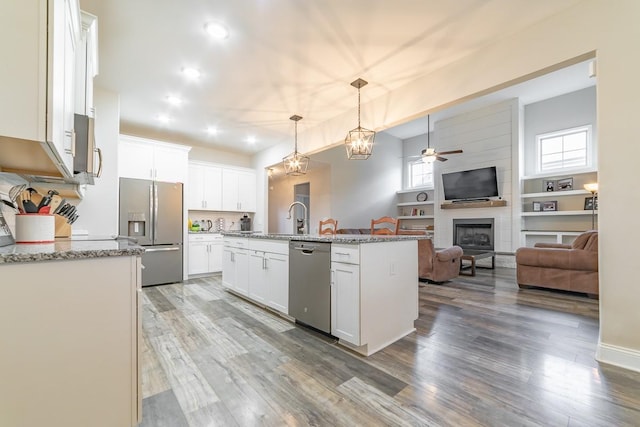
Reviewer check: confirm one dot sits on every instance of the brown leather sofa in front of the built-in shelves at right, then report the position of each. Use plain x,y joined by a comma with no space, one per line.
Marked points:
566,267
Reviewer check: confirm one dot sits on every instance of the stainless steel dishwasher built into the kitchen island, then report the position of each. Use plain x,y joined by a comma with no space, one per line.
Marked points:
310,283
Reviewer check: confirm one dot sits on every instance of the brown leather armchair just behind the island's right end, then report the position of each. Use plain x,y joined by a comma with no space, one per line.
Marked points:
438,266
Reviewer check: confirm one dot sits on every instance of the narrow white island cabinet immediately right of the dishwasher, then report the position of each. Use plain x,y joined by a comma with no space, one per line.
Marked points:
345,299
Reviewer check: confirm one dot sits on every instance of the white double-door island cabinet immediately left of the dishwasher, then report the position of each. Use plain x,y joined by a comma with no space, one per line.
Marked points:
269,273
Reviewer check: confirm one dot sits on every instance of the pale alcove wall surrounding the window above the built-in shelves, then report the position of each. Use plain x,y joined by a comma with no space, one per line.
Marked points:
562,112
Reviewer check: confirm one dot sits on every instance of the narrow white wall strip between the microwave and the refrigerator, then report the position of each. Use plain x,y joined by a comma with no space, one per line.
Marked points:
98,213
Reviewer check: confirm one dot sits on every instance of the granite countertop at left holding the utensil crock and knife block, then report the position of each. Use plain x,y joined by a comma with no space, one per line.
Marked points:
66,249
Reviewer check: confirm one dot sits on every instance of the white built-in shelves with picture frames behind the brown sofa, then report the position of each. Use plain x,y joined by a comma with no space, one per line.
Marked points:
568,219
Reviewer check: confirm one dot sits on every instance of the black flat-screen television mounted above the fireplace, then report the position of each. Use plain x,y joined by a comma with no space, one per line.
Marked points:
475,184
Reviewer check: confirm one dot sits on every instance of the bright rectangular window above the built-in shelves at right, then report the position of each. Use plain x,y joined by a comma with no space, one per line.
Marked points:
566,149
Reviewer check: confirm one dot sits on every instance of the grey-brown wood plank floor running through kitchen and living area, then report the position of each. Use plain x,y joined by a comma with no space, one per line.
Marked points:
484,353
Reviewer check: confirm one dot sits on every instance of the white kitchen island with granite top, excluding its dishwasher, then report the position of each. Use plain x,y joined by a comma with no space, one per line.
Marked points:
373,287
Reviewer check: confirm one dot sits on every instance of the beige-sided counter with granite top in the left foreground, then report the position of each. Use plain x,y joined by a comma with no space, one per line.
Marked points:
69,325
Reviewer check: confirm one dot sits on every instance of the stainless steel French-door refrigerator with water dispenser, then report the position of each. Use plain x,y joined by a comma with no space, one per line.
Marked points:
151,212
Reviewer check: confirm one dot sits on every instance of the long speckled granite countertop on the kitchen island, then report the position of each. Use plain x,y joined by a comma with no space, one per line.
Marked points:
338,238
